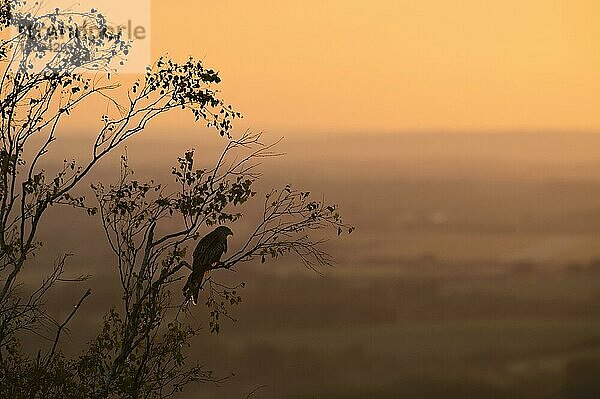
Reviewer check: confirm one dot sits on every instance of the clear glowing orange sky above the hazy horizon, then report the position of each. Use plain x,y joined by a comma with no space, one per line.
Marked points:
392,65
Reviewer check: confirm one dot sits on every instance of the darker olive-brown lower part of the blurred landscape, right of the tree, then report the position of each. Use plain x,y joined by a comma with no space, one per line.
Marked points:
474,333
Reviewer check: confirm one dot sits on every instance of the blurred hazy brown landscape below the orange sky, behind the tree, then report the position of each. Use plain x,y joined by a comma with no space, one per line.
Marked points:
474,270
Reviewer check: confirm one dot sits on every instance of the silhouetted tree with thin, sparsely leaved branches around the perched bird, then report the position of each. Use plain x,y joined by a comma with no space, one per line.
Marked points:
49,69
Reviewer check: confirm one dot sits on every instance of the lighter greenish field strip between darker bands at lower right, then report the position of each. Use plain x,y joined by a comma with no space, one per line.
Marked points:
435,340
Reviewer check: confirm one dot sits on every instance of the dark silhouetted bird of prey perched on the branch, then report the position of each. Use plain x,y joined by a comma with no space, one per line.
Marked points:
208,252
